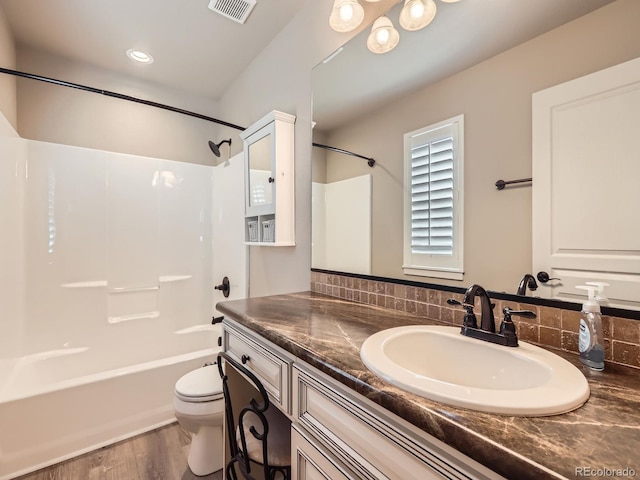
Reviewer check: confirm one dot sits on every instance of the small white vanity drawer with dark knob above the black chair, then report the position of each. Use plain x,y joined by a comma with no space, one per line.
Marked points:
272,370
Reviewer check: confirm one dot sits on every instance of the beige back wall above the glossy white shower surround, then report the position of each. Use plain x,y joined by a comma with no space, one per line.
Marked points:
69,116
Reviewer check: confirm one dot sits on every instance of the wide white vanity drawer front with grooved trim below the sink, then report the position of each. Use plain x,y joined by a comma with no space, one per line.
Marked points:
372,446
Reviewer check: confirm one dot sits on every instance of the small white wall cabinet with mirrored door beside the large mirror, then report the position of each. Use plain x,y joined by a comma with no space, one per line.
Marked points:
269,180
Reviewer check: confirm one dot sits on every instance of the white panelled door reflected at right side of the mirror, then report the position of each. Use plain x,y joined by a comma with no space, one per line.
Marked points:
586,188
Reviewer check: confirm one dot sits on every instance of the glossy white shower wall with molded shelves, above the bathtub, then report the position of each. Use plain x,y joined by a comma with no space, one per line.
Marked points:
100,249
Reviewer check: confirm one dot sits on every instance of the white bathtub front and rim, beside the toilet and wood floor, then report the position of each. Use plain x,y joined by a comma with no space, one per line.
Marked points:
78,415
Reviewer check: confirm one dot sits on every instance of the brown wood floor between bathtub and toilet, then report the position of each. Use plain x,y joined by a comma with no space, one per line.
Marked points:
157,455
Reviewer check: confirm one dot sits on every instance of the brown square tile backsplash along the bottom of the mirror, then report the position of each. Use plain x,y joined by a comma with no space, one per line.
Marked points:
552,327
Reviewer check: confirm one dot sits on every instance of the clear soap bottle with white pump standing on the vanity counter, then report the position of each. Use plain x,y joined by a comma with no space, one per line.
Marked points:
591,339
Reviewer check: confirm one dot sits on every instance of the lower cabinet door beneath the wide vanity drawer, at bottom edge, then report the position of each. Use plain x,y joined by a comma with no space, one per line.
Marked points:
310,461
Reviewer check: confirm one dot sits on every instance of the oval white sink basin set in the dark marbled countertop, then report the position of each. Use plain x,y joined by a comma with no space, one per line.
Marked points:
439,363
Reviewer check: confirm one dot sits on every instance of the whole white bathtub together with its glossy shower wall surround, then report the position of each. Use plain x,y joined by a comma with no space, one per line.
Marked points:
106,283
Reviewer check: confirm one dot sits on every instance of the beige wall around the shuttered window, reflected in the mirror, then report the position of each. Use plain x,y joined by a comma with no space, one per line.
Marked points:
495,97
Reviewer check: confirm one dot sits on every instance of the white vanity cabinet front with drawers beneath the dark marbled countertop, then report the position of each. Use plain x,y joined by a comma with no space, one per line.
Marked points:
339,434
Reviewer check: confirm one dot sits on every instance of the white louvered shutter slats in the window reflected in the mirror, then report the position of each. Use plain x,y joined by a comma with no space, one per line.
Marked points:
432,193
